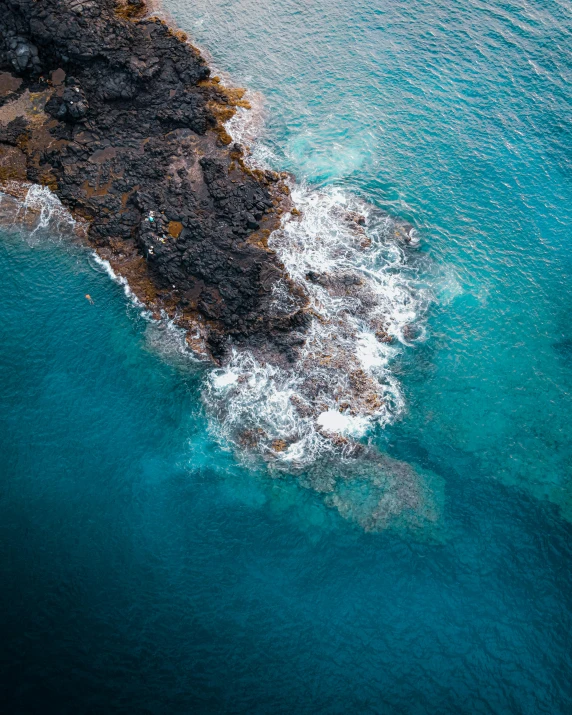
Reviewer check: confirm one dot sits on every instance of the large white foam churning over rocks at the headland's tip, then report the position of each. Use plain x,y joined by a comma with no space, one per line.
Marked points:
366,305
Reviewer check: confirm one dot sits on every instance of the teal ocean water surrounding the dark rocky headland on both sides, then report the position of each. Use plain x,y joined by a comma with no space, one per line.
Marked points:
149,566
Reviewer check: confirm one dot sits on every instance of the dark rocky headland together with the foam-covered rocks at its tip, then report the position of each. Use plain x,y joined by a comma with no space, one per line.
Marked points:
302,308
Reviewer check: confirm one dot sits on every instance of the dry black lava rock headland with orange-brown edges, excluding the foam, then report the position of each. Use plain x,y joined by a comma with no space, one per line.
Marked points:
119,116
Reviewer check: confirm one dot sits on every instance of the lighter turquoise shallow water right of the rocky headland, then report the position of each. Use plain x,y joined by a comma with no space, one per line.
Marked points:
455,117
